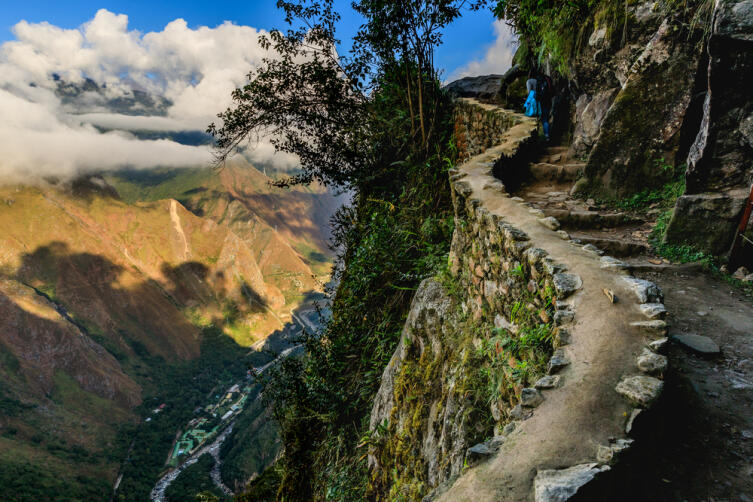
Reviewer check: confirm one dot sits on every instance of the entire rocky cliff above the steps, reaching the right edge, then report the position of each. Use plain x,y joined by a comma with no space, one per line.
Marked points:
673,93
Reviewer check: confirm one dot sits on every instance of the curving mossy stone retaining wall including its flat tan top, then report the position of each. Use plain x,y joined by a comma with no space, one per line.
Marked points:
560,410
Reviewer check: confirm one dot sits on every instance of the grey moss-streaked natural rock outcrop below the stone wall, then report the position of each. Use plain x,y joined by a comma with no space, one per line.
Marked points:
444,434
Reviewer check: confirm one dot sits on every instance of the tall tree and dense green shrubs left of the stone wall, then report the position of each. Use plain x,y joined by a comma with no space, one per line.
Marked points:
376,122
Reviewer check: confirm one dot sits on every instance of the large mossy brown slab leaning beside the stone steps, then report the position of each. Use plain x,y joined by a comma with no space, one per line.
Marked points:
644,122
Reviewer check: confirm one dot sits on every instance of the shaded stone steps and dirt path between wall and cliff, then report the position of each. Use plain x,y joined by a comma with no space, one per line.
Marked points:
701,445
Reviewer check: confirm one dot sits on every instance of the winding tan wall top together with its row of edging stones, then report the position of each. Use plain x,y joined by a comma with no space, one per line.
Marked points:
572,436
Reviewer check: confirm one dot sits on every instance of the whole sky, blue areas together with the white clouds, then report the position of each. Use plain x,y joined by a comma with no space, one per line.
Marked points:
182,51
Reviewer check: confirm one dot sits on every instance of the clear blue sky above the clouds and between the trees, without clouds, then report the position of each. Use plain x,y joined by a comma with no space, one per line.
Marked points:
468,39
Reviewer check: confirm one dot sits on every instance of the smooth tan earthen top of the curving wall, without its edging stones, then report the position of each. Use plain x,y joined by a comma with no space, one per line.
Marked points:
585,411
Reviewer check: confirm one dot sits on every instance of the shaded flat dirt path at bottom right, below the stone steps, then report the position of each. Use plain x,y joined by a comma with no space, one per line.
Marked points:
706,451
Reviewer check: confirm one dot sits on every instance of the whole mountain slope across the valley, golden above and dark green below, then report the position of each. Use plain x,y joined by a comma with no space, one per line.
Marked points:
105,287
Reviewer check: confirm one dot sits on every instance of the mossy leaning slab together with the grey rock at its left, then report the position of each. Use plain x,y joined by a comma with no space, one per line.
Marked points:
632,86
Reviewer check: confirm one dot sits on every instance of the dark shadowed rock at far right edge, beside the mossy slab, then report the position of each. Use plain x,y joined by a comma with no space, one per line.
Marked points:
719,168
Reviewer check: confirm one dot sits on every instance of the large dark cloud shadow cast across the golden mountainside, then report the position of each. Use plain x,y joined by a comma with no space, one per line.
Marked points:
122,306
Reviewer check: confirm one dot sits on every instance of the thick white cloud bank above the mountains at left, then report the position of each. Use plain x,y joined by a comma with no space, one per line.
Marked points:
70,96
